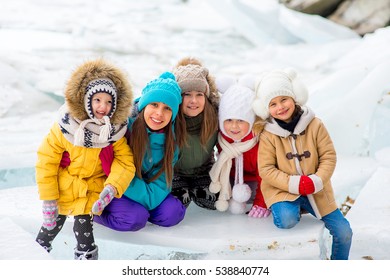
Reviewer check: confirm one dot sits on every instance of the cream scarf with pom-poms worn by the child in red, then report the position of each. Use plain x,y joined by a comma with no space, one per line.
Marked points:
220,171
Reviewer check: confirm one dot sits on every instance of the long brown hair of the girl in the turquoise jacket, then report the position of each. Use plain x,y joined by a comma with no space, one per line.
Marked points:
140,147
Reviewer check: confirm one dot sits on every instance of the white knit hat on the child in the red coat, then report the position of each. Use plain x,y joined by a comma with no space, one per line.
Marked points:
236,99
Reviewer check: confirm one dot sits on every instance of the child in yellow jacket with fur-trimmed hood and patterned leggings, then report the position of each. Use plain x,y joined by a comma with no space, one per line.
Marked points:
90,129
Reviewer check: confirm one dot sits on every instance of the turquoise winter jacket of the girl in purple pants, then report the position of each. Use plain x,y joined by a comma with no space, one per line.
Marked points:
150,195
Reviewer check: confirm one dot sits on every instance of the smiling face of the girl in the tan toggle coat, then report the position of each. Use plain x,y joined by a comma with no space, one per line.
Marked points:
282,108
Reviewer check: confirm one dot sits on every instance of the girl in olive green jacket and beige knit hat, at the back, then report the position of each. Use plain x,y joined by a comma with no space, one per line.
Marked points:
197,155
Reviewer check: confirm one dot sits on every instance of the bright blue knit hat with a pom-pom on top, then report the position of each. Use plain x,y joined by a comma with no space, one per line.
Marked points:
164,89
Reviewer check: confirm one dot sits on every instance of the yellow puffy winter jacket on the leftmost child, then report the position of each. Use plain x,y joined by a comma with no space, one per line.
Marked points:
78,186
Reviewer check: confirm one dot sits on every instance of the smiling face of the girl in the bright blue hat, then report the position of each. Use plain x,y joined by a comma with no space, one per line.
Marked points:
157,115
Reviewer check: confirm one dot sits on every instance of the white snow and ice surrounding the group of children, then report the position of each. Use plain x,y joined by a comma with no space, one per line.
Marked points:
347,76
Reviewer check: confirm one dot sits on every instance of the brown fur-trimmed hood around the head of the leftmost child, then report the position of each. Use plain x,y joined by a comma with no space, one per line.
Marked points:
75,89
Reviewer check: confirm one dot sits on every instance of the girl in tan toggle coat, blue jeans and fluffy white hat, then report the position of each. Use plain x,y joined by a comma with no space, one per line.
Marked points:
297,158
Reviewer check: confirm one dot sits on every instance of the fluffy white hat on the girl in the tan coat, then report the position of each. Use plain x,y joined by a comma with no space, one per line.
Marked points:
278,83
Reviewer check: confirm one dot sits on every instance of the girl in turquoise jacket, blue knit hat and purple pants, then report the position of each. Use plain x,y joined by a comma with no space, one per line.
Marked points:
151,135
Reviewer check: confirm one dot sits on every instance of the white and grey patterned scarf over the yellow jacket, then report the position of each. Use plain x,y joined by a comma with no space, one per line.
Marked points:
90,133
